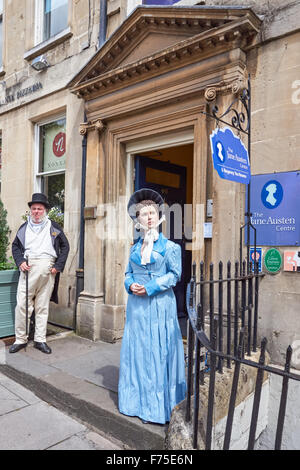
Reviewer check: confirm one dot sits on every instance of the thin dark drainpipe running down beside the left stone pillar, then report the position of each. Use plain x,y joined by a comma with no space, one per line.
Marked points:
80,270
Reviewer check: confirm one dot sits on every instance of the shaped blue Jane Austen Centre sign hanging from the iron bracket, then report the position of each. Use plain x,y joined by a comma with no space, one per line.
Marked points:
230,156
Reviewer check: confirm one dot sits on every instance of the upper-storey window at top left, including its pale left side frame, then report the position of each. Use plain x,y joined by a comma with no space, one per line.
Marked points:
51,18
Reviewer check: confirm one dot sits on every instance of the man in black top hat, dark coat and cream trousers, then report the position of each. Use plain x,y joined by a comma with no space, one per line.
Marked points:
40,250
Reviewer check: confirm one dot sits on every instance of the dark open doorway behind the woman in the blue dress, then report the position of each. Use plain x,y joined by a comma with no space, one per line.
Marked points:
169,171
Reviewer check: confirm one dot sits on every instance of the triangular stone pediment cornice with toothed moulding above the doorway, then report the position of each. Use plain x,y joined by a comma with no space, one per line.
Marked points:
221,31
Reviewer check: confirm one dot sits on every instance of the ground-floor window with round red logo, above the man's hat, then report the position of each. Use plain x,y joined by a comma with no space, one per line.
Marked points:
51,162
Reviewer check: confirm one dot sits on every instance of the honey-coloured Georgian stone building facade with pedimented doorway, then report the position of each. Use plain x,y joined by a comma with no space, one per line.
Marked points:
138,104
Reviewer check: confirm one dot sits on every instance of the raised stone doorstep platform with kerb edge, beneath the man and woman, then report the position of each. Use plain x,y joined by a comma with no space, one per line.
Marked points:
80,378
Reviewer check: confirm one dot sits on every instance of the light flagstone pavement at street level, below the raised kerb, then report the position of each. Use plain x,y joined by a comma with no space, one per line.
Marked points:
28,423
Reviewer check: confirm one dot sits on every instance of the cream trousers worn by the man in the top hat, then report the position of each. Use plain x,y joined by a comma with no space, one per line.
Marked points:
40,287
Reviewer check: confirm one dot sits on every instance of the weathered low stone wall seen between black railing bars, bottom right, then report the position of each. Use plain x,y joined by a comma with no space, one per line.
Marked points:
180,433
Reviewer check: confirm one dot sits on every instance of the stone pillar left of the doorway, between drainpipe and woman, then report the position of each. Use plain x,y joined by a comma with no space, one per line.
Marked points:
100,311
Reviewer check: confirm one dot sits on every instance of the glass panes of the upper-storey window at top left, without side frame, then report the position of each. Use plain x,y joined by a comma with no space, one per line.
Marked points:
55,17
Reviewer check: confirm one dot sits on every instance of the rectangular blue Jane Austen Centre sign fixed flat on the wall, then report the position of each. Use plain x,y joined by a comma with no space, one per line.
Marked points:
275,210
